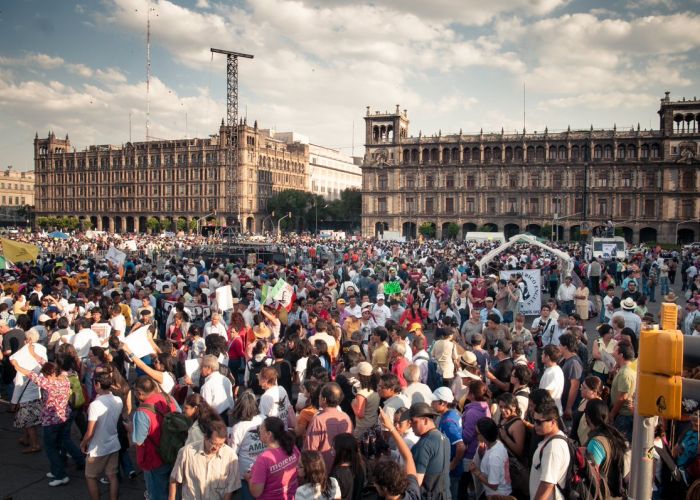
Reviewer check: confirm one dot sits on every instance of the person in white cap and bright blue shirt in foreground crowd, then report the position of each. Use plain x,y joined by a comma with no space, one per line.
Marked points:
450,424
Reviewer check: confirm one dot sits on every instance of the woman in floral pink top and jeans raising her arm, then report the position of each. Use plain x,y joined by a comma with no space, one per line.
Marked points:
54,414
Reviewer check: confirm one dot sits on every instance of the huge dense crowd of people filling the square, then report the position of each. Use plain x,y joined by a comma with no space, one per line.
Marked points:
398,370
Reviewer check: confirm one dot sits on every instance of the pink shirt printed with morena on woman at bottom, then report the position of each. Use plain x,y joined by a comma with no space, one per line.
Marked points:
278,472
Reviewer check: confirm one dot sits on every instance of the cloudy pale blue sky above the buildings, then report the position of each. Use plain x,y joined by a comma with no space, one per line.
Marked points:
80,68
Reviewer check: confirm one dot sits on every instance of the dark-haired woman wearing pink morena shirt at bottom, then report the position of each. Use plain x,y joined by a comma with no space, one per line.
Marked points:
274,473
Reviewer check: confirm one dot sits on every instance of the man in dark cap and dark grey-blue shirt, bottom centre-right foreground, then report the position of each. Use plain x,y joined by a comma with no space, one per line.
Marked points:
431,453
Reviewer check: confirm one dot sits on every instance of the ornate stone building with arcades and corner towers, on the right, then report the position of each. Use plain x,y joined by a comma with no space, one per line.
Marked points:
646,182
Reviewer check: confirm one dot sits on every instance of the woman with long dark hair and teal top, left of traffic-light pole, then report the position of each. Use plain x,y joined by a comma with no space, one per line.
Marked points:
607,446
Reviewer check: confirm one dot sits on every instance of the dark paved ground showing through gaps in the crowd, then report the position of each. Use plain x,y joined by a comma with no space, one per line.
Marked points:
23,477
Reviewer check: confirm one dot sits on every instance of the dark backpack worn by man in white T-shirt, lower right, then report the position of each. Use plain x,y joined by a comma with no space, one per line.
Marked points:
583,480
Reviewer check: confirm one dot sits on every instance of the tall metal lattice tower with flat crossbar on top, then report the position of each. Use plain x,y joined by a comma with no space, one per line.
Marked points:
232,156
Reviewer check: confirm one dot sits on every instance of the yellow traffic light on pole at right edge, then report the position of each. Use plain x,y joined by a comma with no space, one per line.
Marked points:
660,367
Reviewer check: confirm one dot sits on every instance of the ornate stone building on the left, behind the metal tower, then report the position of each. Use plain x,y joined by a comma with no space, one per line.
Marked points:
119,188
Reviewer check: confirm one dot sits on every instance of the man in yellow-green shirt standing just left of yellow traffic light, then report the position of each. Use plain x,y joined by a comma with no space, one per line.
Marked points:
622,390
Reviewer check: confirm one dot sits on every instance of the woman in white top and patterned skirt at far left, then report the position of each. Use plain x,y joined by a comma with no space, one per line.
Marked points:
28,398
